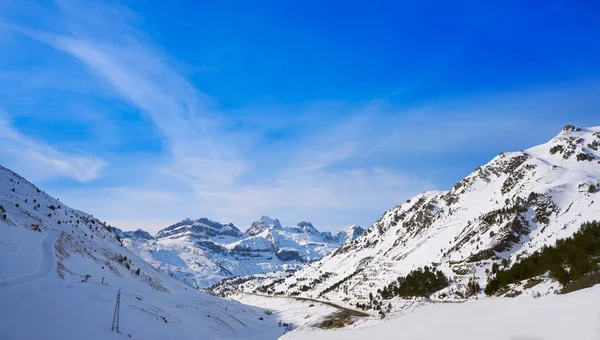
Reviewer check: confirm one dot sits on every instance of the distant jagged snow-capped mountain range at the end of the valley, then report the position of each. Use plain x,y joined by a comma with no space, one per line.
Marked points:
203,252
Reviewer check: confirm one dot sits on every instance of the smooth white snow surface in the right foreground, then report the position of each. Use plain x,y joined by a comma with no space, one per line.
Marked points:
555,317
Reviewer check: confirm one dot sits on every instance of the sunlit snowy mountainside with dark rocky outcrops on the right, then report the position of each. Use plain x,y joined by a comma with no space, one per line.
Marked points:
504,210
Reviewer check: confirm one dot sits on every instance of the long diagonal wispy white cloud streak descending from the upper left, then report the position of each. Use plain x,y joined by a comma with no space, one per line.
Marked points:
141,75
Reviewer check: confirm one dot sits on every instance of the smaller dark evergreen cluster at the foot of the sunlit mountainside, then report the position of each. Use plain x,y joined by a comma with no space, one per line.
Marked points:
419,282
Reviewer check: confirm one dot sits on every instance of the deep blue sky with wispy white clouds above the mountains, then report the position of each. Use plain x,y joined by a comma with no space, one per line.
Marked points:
146,112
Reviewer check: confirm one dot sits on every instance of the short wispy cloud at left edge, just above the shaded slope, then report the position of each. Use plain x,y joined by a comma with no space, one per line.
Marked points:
44,160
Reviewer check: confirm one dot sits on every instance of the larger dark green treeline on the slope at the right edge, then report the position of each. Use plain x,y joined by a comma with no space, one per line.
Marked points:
568,260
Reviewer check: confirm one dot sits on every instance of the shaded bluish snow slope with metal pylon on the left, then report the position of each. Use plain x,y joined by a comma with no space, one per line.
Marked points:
47,250
